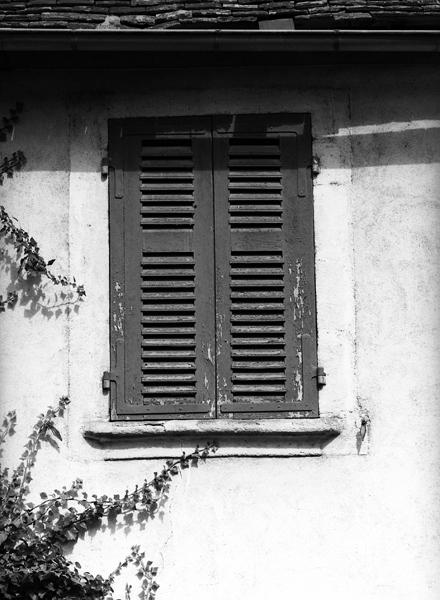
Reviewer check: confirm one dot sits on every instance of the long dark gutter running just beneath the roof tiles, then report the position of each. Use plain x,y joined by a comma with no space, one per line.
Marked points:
220,41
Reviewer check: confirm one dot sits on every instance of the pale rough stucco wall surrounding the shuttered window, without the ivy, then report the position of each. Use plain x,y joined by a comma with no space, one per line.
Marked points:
342,525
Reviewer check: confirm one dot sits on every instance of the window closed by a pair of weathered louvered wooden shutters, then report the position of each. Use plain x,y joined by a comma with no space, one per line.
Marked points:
212,268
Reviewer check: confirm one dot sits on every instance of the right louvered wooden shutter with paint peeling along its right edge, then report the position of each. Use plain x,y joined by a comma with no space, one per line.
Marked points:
265,292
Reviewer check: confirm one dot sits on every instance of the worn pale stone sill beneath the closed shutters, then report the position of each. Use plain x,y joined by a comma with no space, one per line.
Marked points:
260,437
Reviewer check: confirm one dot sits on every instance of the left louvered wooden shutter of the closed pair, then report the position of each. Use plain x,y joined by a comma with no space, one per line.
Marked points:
163,304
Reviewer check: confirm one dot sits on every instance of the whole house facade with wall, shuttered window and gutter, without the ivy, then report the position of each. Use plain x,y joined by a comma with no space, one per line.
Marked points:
254,217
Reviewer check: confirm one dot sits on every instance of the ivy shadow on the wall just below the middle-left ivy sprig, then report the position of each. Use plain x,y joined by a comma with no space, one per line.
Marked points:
34,292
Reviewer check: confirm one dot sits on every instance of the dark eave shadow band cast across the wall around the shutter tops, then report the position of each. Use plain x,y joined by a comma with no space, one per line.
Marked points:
392,113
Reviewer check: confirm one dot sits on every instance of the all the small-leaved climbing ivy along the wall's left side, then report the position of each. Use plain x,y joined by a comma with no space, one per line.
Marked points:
34,534
